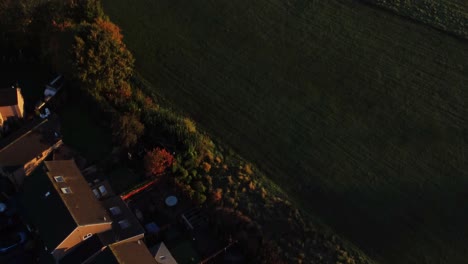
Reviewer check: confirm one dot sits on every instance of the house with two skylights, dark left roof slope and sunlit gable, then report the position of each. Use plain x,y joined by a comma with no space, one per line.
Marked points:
63,208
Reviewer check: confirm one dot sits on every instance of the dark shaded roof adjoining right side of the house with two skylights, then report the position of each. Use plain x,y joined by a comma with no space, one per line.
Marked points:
124,223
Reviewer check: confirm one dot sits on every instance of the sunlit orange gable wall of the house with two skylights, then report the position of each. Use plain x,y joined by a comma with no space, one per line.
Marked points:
77,236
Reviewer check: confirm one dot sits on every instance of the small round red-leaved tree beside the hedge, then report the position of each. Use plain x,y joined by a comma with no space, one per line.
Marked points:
127,129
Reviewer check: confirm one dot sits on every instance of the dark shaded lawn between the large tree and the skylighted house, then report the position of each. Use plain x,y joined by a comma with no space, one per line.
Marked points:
83,132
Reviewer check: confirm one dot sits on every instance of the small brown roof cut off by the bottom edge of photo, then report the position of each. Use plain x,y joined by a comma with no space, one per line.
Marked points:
132,252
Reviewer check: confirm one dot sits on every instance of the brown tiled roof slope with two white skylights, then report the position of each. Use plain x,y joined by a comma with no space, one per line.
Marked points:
81,202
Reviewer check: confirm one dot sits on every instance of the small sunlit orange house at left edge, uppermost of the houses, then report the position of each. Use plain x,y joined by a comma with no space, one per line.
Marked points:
11,104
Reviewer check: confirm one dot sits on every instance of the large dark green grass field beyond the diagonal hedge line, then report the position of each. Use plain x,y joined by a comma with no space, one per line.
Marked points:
361,115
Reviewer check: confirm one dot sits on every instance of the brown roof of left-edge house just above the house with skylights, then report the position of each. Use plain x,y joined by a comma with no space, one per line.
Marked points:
29,142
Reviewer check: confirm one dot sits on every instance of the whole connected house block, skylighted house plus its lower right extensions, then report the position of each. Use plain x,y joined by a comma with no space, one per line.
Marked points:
79,223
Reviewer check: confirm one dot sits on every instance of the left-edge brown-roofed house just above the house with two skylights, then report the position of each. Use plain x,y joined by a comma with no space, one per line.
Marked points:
23,151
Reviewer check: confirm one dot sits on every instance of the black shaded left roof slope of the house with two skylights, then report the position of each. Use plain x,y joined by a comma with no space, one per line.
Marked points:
48,213
